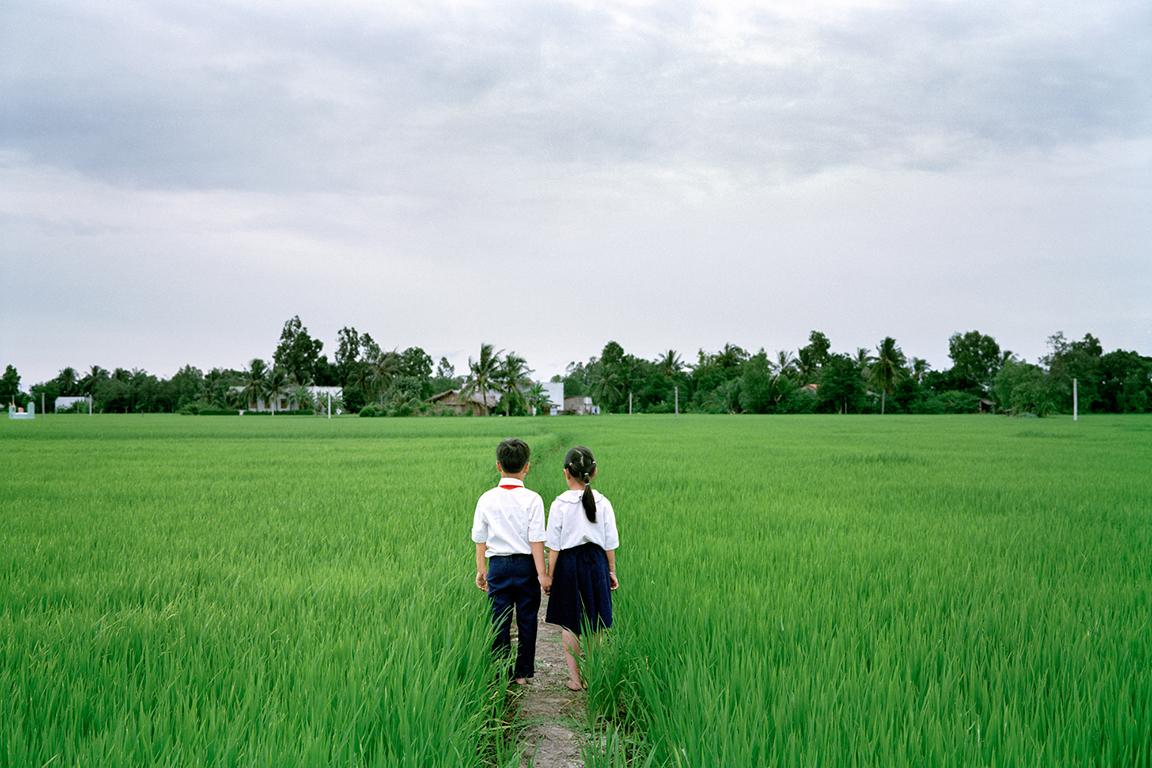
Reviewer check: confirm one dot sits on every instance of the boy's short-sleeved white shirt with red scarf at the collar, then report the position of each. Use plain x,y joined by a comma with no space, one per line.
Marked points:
509,520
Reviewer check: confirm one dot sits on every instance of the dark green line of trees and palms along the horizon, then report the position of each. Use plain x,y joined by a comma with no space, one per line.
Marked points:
813,379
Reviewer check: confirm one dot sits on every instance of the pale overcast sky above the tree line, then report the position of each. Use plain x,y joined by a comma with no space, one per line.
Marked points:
178,180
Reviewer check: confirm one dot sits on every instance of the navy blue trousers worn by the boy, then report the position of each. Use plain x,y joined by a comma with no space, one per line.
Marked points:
513,584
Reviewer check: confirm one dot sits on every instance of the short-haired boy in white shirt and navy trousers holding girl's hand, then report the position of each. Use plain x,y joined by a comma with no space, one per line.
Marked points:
509,529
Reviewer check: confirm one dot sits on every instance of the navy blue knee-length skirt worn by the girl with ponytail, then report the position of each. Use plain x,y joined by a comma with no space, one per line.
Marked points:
581,597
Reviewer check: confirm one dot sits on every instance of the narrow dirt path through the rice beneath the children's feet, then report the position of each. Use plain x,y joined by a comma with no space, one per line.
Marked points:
554,717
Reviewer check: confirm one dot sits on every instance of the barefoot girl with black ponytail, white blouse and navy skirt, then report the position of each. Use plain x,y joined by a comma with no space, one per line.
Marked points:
582,544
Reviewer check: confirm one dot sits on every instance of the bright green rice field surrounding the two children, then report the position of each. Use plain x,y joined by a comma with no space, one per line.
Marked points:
795,591
